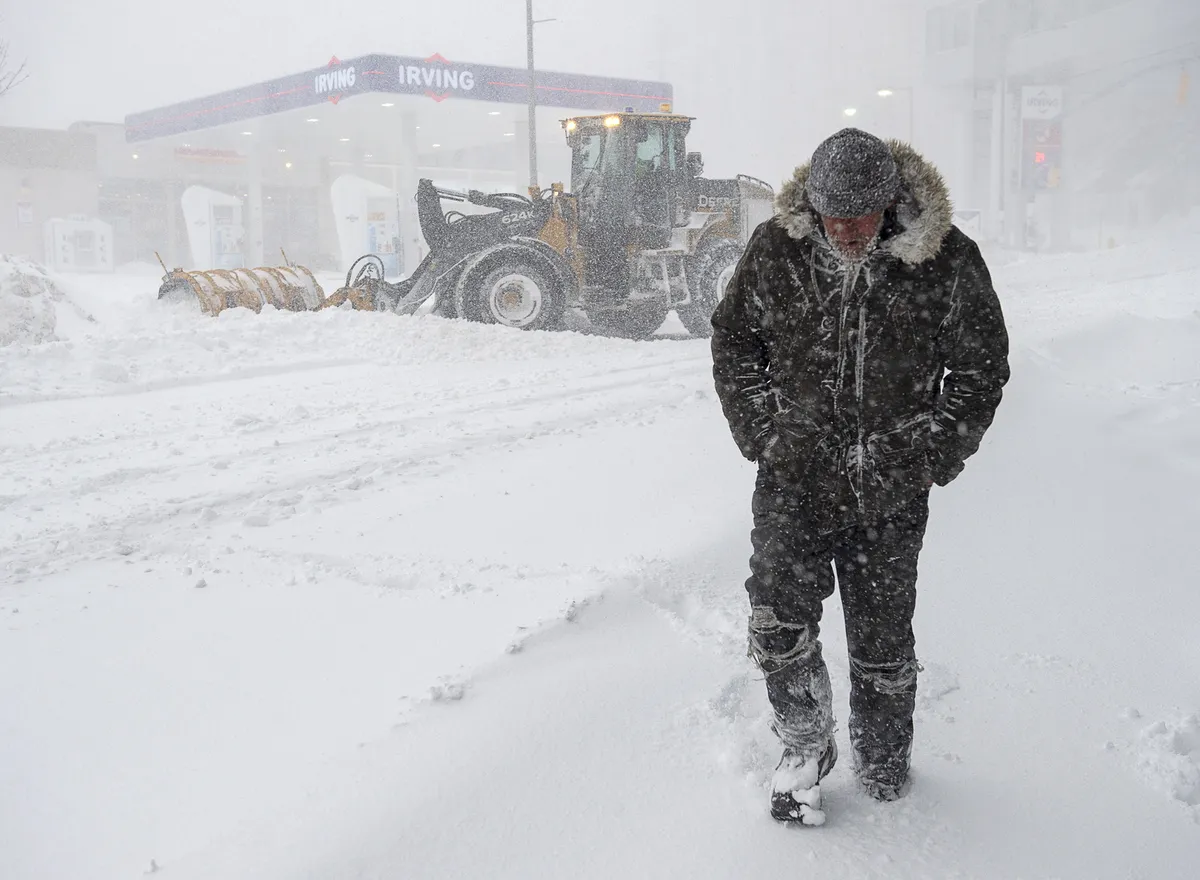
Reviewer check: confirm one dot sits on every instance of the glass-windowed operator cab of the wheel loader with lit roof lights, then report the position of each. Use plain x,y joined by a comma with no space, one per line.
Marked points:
632,178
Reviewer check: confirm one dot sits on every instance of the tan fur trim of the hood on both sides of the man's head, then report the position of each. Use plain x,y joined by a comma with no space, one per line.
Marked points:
923,212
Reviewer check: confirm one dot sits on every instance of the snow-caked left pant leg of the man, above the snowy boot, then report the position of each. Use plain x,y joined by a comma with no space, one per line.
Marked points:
791,576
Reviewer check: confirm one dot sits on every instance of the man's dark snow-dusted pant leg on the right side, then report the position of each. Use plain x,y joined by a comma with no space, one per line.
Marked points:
878,578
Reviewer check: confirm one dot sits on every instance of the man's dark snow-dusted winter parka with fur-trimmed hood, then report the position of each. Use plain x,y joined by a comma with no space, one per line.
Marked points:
831,375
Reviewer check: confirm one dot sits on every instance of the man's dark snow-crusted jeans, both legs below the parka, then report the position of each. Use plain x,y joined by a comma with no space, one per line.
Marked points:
793,574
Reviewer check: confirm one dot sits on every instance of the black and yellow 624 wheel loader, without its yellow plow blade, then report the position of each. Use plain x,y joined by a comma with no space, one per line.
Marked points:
640,234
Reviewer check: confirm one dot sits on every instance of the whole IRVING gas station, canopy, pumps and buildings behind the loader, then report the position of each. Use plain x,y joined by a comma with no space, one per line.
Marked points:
322,164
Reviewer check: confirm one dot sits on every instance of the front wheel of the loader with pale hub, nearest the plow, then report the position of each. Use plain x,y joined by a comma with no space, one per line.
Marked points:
512,290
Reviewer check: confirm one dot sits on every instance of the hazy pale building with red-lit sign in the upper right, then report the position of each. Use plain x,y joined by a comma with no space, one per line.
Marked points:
1069,123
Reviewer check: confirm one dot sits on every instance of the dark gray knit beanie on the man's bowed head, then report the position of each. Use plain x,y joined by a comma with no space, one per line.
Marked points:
853,175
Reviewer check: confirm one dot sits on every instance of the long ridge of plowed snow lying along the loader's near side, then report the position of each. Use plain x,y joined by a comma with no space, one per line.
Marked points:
146,345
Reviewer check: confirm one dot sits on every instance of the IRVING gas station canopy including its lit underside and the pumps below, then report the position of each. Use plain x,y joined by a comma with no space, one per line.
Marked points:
327,161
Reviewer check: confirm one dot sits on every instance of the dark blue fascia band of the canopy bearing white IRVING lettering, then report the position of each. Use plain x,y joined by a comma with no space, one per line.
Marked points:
434,77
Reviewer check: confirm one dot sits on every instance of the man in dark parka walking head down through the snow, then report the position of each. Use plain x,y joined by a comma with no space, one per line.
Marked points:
860,355
